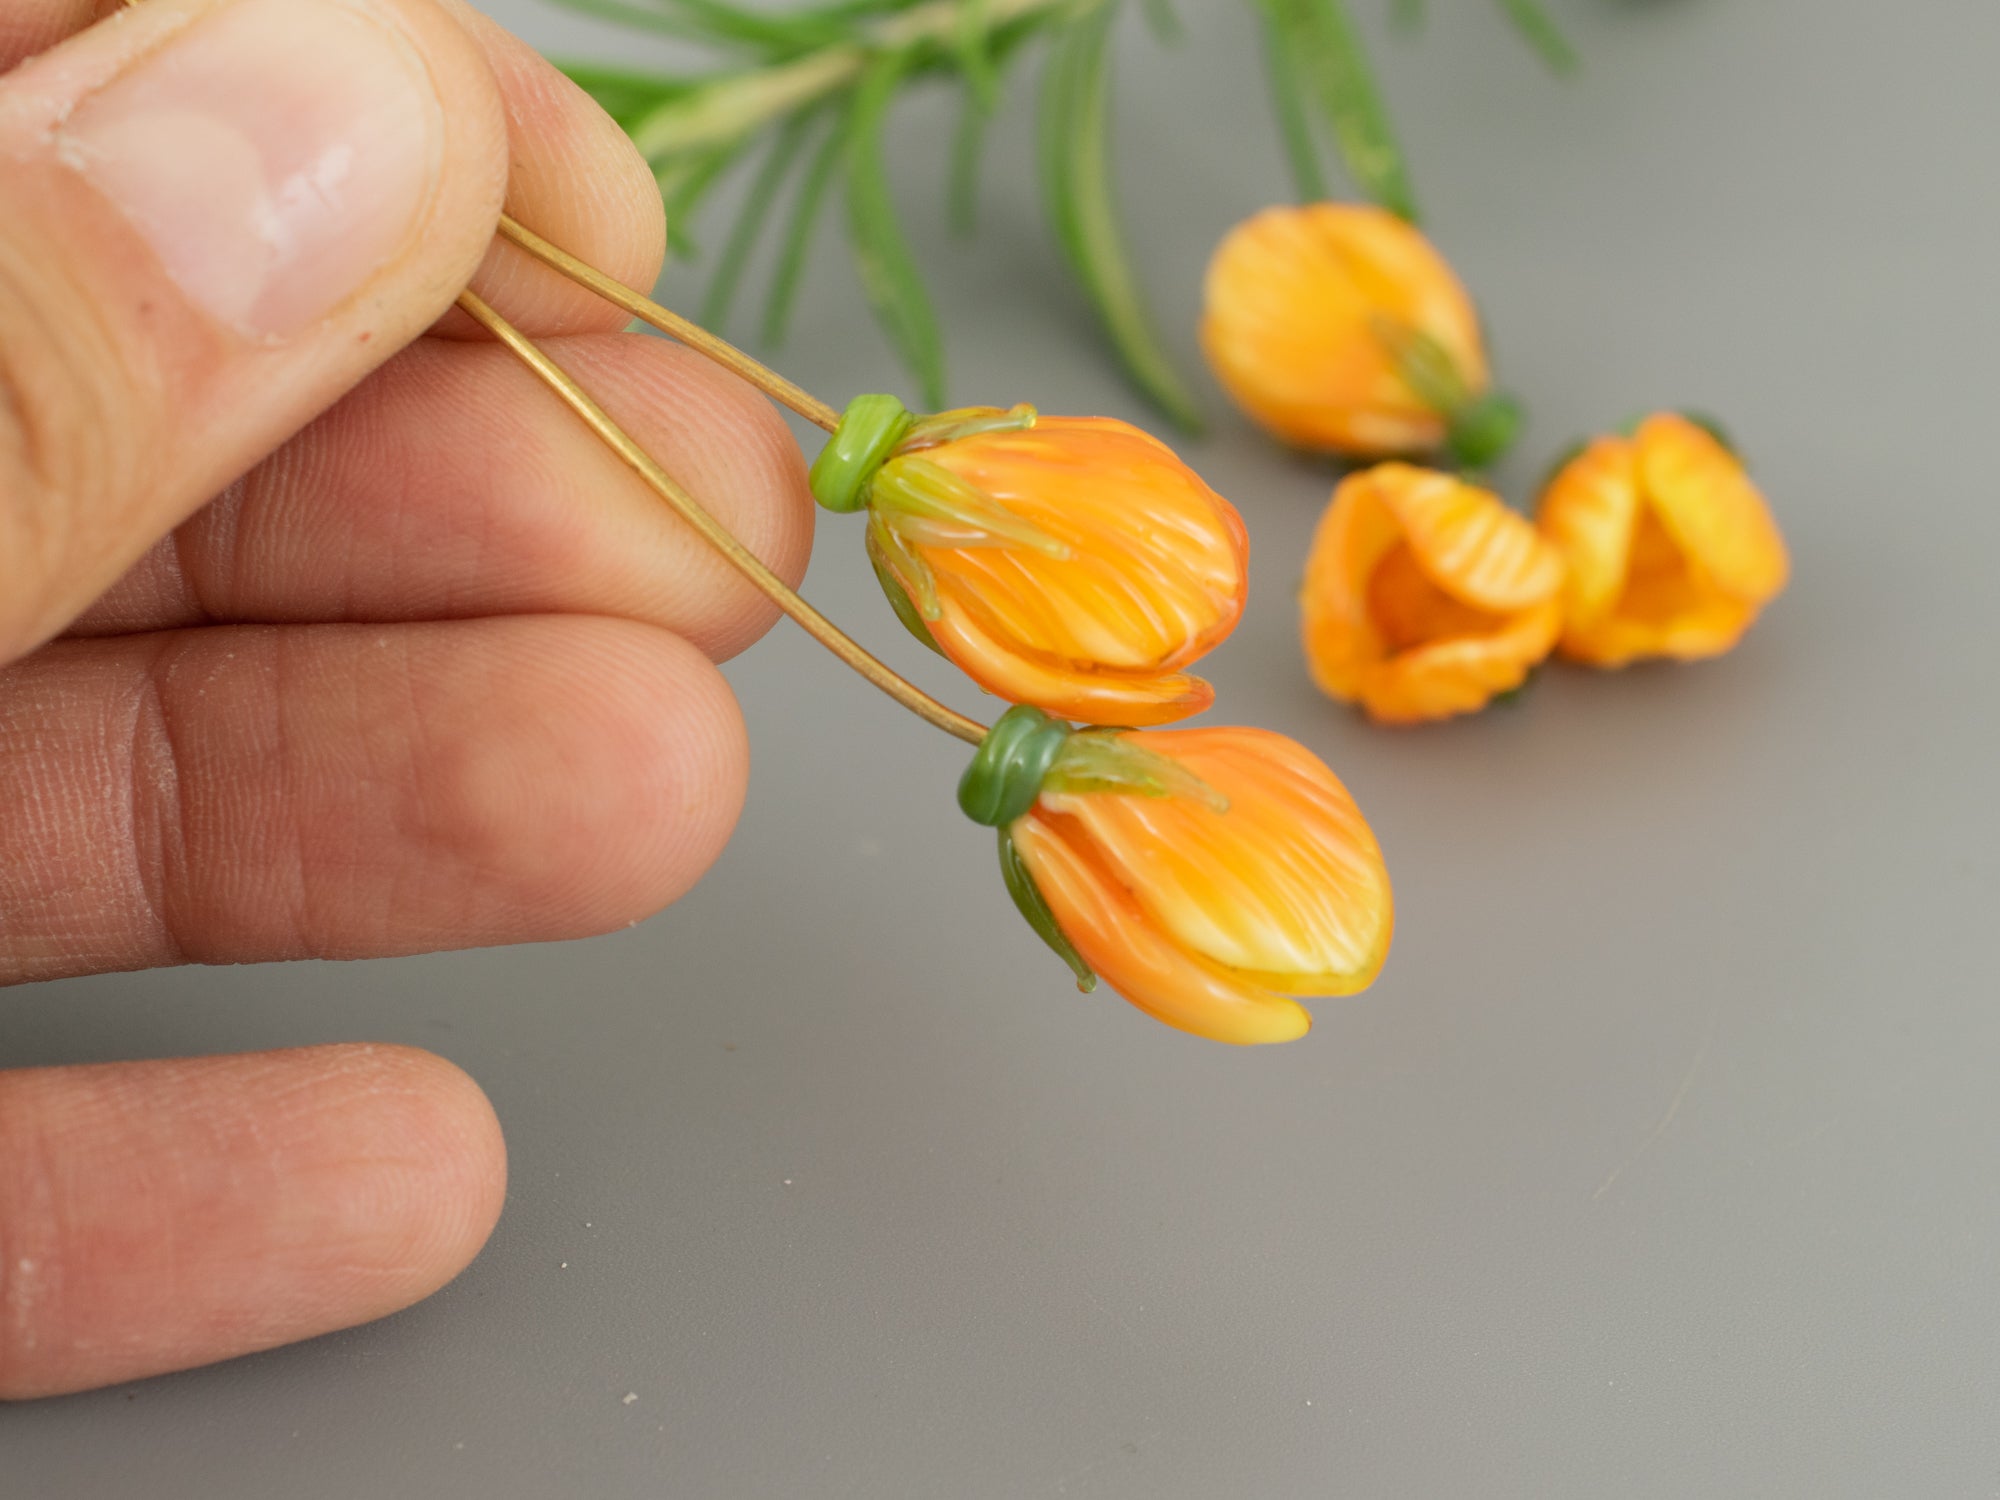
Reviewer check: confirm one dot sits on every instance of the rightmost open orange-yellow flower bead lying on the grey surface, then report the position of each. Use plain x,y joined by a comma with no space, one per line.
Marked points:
1669,545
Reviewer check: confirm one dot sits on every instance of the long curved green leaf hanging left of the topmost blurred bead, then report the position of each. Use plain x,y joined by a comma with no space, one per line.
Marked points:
1077,179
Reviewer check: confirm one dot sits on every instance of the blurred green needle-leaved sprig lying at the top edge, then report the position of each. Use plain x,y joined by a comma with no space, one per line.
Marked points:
807,95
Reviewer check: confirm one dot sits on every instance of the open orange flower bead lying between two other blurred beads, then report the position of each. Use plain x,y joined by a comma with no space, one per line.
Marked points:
1425,595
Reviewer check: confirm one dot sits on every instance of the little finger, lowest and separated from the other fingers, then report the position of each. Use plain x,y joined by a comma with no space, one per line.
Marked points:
165,1215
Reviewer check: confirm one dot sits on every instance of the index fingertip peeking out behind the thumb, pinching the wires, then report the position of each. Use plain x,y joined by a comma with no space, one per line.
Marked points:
577,181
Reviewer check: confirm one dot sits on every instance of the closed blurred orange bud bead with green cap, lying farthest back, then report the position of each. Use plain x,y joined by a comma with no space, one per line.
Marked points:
1339,327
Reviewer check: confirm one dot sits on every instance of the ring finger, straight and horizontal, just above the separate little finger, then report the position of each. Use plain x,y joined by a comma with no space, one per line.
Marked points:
257,793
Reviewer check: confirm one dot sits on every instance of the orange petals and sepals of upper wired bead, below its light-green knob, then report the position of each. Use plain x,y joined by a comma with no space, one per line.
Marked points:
1083,573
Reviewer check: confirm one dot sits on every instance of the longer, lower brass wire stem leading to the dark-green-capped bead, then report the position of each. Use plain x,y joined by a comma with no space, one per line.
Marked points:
689,509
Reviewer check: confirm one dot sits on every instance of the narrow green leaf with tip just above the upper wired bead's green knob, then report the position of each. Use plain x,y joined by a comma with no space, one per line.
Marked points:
891,279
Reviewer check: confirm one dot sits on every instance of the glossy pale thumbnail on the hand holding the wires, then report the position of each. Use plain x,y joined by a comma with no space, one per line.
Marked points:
275,157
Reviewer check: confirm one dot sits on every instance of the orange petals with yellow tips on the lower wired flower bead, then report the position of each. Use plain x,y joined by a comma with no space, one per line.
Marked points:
1213,917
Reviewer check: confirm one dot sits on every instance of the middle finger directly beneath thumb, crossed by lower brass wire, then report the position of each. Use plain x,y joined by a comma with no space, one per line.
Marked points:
453,485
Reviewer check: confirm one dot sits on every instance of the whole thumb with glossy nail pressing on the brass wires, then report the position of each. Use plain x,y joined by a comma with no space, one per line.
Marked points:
215,217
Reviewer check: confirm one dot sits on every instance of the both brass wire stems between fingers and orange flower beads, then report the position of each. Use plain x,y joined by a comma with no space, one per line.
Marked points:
667,487
